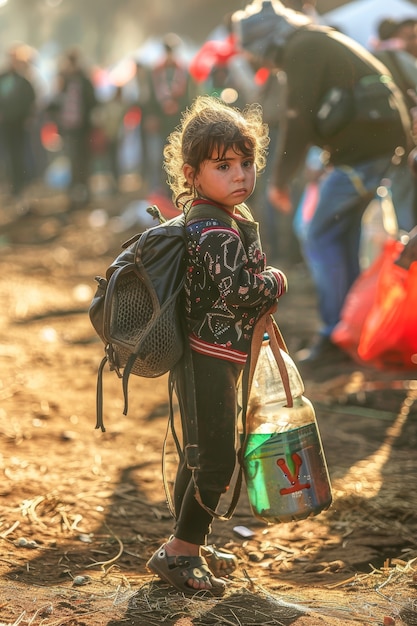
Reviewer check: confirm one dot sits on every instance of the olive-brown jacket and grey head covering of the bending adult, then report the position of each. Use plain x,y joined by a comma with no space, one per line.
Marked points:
316,59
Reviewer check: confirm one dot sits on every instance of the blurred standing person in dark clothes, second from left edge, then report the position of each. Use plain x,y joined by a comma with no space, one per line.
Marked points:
75,103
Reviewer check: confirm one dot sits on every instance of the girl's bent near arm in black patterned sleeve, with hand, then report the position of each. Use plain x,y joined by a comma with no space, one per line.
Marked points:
239,284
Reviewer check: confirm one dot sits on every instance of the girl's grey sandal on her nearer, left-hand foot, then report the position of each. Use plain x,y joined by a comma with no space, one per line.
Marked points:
177,570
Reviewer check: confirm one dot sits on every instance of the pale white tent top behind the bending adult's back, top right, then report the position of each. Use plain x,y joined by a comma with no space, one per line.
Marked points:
359,19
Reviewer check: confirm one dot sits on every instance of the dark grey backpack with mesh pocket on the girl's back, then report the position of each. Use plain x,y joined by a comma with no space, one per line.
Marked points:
135,310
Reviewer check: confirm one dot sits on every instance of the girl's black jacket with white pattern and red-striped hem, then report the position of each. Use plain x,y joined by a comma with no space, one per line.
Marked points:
228,285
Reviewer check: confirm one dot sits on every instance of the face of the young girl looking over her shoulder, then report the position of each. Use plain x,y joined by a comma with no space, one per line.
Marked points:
227,181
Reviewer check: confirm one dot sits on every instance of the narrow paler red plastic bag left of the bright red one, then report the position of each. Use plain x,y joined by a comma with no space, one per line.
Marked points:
360,301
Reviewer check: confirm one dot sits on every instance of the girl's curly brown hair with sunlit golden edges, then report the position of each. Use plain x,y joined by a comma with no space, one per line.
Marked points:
210,126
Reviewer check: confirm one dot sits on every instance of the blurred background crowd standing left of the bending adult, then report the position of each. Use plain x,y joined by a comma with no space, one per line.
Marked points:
115,121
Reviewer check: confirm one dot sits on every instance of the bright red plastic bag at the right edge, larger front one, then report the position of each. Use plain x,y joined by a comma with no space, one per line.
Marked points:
389,334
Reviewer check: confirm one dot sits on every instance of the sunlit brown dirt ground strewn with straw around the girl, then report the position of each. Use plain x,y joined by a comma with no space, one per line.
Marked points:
81,511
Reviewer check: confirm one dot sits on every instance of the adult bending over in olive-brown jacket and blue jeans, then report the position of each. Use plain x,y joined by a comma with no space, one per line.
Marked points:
360,152
